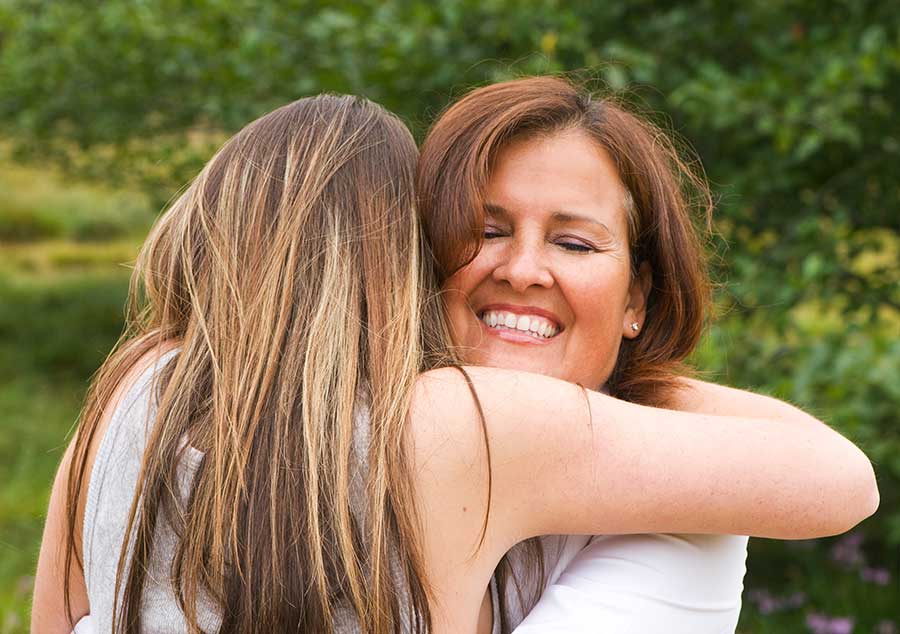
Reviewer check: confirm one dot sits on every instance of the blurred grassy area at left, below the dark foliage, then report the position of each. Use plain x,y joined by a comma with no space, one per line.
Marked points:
65,259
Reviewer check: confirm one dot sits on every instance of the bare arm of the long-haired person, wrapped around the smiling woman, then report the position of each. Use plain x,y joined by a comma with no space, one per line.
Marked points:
567,460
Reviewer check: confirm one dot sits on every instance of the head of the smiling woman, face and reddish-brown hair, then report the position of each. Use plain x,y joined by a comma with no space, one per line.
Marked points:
533,184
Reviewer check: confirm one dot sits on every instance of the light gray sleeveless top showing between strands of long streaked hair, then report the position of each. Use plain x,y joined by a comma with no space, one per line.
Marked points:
113,481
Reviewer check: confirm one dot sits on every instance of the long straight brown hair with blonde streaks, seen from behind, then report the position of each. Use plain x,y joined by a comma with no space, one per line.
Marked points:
290,274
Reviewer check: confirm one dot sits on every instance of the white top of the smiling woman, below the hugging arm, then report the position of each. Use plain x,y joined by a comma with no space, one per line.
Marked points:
639,584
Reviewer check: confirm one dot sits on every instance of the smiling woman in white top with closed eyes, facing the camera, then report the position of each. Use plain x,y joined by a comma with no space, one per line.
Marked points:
587,268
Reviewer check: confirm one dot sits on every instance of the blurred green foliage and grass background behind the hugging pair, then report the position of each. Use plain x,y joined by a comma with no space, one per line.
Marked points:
791,105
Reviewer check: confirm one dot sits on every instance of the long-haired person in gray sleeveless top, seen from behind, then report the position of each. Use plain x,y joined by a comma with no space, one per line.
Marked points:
296,470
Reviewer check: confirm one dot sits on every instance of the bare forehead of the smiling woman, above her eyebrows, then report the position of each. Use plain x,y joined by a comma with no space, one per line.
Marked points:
552,176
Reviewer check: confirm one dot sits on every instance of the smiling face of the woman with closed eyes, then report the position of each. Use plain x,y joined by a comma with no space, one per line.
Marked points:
551,290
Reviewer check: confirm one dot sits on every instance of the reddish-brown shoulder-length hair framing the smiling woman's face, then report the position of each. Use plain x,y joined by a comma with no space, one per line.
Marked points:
666,195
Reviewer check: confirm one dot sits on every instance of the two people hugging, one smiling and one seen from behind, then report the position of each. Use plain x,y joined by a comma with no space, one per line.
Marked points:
364,389
